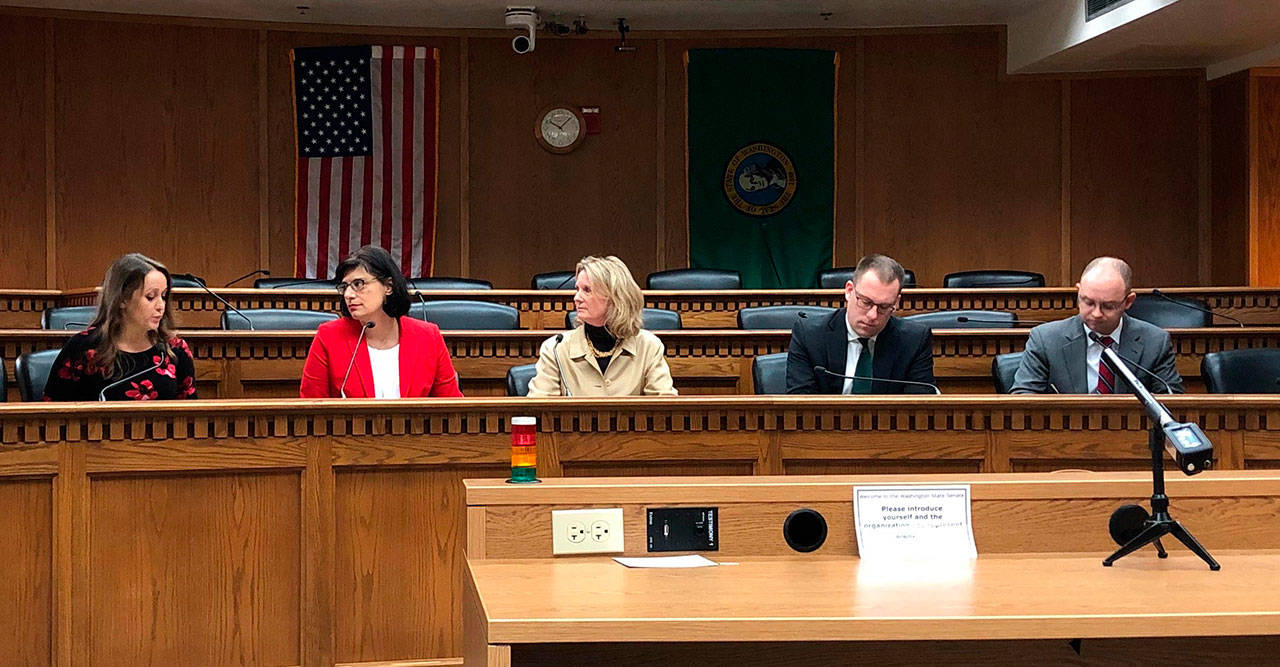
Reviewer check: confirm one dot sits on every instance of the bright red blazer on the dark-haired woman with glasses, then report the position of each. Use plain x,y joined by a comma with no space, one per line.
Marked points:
426,366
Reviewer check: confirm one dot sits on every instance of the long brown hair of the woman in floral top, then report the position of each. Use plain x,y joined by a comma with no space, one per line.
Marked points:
124,280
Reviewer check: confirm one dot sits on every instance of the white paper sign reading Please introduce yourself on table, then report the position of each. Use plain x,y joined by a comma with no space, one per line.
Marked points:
913,523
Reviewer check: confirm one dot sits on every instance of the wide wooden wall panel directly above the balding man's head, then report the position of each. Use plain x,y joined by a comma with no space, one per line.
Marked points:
1136,175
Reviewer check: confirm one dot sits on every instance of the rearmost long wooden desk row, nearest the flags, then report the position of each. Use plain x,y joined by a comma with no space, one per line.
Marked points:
700,309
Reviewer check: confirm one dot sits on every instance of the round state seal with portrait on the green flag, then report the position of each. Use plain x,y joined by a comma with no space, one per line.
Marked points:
760,180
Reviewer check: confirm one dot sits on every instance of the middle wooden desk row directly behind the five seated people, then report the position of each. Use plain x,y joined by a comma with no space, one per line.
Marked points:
708,362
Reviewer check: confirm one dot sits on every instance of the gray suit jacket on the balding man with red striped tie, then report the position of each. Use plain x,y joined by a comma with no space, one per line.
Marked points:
1055,355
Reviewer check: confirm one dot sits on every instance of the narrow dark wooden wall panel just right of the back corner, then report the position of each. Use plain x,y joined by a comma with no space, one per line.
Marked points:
1229,165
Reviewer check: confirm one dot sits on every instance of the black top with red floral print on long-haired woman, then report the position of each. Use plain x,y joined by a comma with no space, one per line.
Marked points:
75,377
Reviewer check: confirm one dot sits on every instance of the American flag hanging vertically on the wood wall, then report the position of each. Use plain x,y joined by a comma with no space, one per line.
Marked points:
367,131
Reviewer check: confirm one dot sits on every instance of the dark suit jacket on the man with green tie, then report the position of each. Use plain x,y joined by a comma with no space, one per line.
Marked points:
904,351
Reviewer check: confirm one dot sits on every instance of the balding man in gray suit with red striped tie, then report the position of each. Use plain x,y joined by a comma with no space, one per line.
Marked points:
1063,357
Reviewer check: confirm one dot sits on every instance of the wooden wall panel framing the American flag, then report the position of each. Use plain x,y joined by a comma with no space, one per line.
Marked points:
284,148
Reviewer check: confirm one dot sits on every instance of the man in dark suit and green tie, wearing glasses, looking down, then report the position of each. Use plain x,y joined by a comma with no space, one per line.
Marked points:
863,340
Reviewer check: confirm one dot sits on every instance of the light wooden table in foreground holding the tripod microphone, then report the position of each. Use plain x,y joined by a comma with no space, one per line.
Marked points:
1041,541
